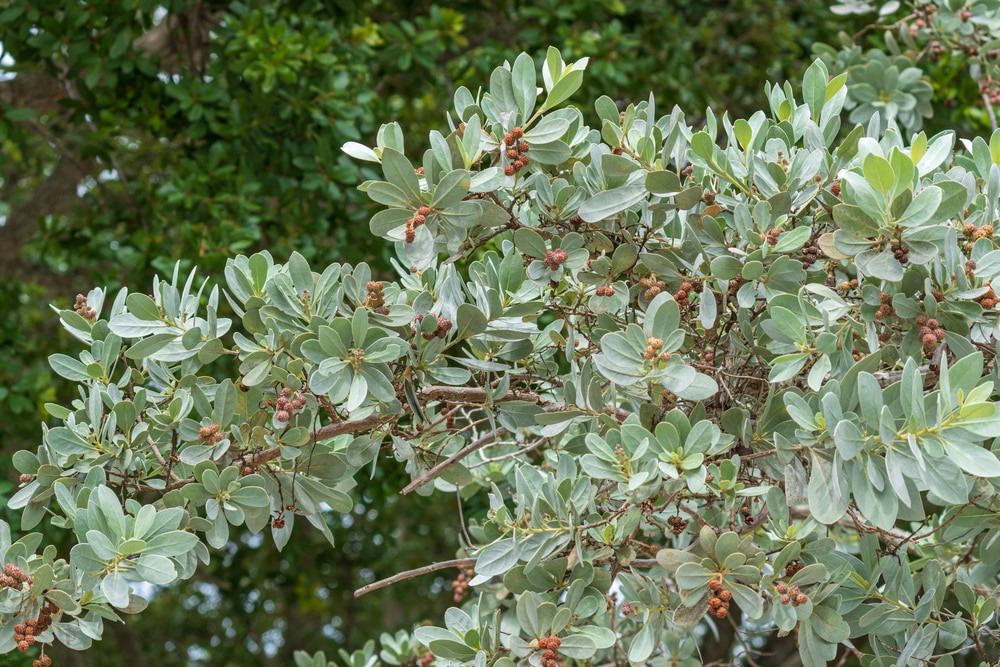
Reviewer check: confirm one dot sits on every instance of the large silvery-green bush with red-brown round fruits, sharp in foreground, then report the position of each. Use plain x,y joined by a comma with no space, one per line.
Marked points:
731,381
